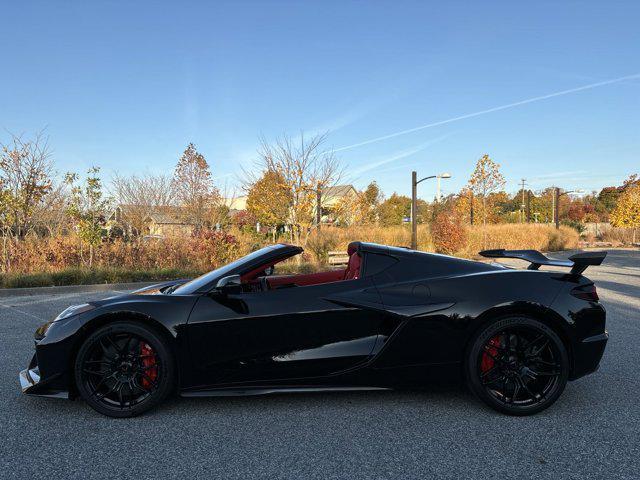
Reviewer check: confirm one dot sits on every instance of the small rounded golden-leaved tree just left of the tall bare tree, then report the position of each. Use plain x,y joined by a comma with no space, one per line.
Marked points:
269,200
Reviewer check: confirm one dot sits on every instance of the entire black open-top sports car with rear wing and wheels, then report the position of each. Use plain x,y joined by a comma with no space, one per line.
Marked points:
393,318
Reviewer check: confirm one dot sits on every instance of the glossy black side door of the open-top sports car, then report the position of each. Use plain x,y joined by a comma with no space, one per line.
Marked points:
284,333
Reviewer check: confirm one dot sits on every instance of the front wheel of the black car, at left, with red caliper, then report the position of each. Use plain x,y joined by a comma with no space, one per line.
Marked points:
124,369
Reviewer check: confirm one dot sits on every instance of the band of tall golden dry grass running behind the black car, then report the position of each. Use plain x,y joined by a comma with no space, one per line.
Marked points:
153,259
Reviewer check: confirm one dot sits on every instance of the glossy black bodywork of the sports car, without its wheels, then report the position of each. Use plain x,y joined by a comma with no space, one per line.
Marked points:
393,318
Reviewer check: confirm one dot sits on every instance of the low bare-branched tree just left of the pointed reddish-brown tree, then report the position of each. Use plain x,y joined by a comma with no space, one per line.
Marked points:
138,196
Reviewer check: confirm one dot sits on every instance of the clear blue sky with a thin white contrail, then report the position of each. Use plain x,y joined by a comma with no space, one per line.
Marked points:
550,90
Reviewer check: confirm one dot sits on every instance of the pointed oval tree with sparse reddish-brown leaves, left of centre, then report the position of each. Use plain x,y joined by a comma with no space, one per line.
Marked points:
194,189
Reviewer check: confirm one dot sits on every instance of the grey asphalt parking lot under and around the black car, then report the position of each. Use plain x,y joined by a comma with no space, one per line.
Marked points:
593,431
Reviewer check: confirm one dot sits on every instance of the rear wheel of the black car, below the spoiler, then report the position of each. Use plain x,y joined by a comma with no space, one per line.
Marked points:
517,365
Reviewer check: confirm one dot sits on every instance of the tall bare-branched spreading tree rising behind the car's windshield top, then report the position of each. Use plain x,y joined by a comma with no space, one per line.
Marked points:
305,167
